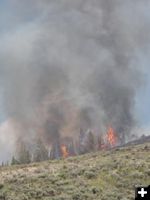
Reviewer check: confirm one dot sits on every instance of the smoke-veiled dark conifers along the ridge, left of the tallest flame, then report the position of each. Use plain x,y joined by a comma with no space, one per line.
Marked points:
87,142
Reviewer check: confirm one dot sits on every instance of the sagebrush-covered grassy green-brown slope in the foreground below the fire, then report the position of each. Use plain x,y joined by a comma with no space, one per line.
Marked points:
106,175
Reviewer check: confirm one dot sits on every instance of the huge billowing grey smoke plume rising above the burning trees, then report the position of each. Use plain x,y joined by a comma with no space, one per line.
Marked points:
68,65
